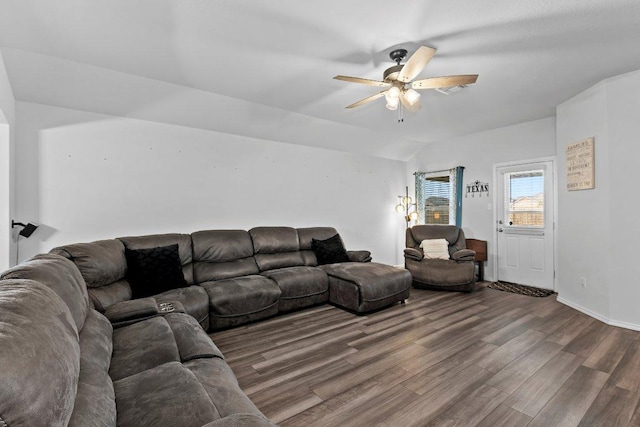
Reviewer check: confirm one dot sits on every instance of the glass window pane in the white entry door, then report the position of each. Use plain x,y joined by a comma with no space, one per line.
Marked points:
525,198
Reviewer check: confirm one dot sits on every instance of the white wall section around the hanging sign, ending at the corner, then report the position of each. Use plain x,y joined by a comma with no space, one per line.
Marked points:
583,216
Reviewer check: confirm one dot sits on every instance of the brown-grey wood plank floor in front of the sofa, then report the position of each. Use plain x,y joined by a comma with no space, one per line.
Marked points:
489,358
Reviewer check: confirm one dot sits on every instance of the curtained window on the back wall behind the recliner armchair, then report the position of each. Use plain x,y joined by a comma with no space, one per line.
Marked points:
438,196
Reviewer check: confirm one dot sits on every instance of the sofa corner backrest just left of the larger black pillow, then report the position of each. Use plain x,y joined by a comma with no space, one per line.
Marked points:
103,266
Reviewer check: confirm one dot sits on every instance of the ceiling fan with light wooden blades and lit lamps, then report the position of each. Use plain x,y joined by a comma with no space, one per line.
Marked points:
398,84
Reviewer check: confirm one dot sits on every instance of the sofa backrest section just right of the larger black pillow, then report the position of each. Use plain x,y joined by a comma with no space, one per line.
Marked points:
222,254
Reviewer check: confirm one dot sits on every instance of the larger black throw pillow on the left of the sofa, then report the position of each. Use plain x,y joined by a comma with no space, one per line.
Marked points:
154,270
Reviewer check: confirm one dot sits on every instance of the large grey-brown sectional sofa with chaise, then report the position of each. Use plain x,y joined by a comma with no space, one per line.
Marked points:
78,350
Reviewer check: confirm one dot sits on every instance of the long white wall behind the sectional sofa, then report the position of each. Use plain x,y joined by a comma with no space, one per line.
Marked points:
86,176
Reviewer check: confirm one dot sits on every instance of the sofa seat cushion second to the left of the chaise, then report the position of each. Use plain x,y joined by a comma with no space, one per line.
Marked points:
241,300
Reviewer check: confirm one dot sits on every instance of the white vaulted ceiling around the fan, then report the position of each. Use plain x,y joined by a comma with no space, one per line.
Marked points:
264,69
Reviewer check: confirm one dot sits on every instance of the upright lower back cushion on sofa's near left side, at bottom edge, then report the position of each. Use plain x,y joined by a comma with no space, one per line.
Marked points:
95,402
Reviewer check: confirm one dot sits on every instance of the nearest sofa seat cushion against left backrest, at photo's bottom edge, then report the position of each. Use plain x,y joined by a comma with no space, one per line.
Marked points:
166,395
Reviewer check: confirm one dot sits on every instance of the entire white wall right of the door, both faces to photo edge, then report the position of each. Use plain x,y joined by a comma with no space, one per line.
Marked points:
599,228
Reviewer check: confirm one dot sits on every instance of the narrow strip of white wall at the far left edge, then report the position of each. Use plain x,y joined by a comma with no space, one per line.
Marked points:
7,117
